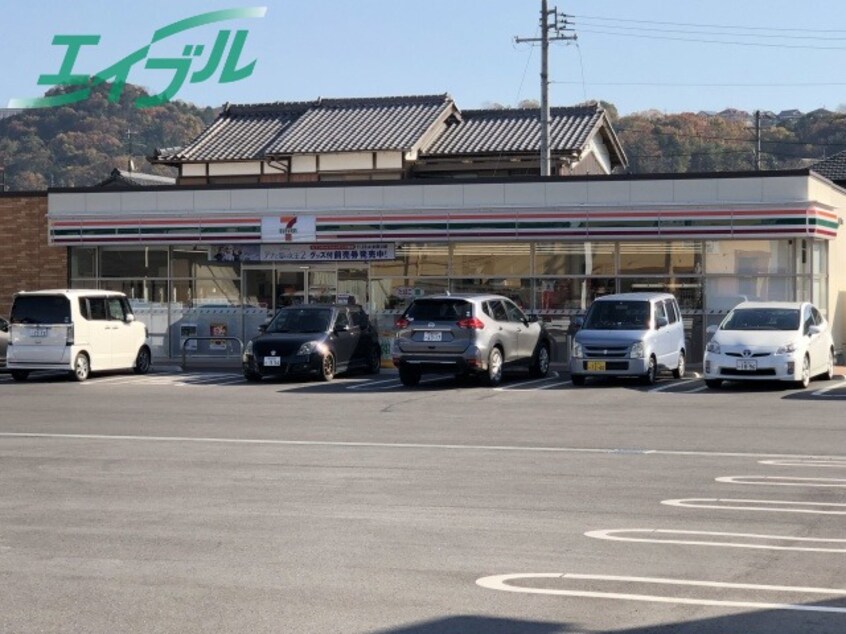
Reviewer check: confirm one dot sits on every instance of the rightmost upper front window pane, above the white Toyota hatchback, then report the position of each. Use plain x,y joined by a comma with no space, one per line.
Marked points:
749,257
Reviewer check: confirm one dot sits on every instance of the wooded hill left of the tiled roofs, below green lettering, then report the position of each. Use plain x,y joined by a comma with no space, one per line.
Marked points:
80,144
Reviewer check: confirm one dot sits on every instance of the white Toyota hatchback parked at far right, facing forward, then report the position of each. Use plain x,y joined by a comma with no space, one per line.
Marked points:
770,341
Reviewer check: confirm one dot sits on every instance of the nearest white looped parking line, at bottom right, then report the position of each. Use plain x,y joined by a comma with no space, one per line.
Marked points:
501,582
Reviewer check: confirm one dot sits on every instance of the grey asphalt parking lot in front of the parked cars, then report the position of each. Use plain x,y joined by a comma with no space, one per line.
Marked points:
194,501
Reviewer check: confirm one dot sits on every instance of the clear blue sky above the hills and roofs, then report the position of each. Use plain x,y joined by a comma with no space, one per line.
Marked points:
638,55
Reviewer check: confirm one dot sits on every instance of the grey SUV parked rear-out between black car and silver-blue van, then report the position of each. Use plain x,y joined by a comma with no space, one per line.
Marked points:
468,334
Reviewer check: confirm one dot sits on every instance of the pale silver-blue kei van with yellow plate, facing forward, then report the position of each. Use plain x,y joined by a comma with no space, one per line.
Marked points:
629,334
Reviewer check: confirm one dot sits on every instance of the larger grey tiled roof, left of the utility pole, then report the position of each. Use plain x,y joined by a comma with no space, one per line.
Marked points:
253,132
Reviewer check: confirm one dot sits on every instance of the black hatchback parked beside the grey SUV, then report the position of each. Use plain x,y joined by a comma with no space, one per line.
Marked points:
321,339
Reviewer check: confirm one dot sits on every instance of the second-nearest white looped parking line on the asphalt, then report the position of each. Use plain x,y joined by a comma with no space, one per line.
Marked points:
621,535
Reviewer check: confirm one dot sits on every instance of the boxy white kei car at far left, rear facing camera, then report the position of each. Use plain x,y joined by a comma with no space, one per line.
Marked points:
81,331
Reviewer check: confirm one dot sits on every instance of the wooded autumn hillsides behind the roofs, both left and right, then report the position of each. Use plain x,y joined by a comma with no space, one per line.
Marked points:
80,144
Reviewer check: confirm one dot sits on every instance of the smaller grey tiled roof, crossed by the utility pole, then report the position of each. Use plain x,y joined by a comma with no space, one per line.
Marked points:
517,131
